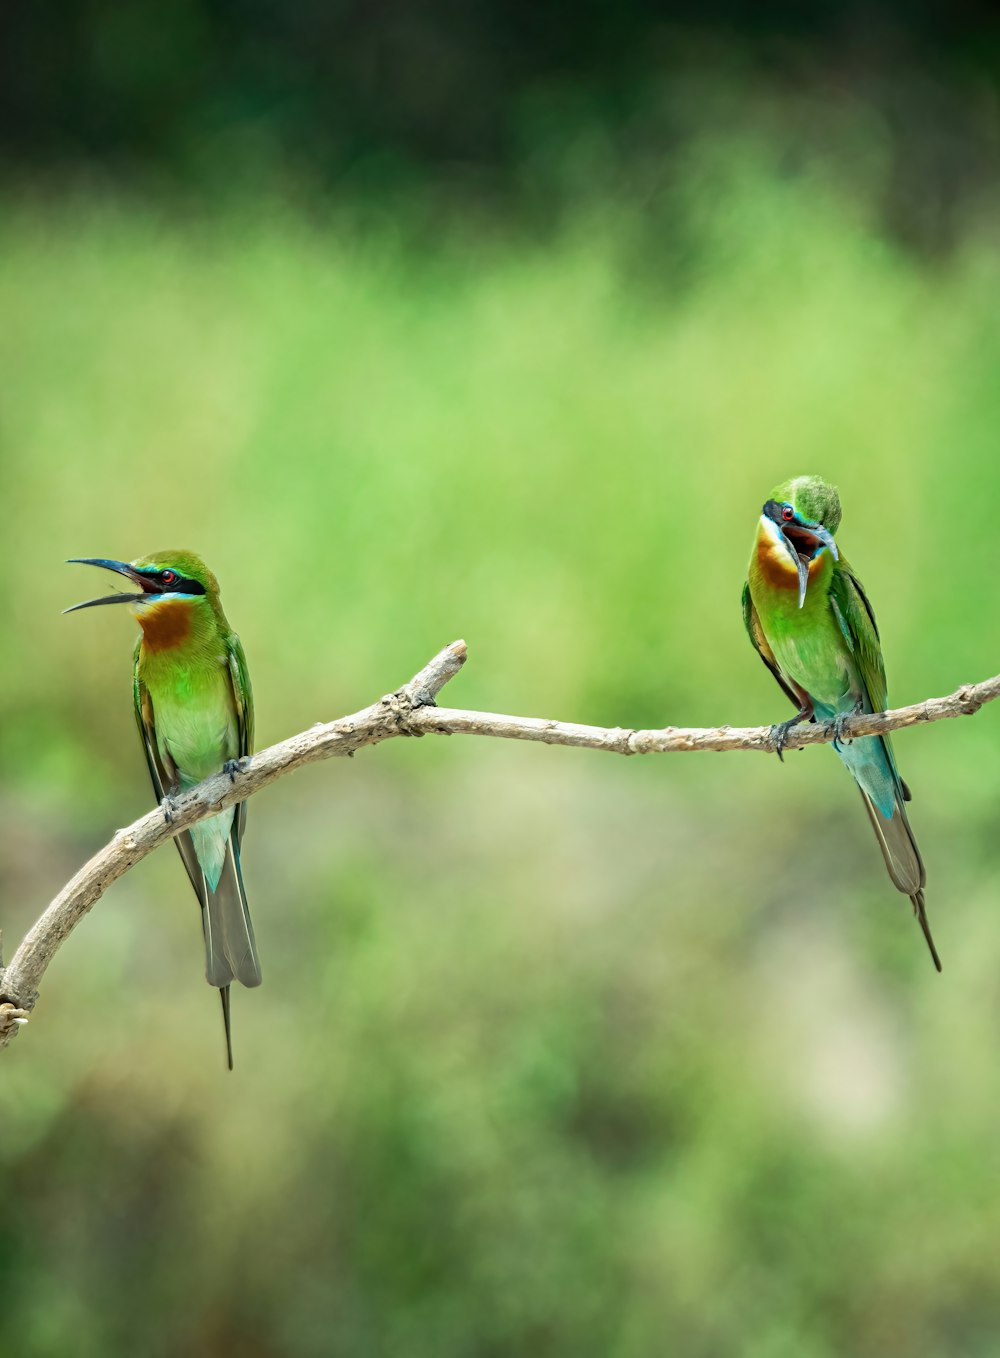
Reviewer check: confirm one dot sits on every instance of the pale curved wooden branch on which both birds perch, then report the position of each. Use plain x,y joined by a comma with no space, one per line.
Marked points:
410,712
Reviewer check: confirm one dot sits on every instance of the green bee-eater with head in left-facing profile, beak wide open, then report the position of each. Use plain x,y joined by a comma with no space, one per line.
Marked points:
196,718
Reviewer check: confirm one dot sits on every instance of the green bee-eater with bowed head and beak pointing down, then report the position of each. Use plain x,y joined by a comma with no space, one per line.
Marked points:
813,627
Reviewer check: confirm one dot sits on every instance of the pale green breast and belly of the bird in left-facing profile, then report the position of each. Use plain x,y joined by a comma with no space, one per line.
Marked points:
196,726
